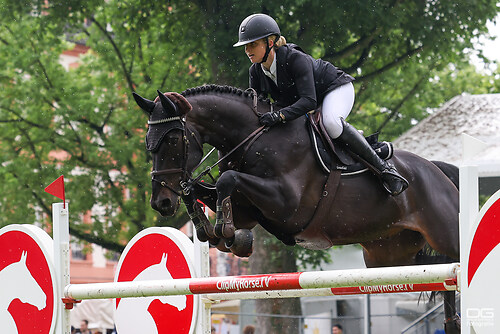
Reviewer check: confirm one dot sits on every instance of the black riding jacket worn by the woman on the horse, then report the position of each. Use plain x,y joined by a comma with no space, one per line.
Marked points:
302,80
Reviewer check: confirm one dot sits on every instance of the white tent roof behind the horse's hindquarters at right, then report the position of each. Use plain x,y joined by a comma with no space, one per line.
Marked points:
438,137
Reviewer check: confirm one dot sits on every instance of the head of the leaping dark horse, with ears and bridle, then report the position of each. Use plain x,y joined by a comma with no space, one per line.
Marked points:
169,143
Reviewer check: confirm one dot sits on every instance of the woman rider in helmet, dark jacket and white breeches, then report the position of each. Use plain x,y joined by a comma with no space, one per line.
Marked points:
300,83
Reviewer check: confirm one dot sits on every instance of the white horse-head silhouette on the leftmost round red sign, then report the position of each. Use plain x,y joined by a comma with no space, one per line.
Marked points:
23,287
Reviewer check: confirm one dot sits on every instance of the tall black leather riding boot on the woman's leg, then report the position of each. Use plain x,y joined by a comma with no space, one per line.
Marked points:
392,181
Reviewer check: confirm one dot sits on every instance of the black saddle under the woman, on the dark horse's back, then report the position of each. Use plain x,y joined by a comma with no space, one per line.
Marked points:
334,155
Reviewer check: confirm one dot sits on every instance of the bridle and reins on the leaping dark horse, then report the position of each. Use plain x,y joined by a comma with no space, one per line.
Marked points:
187,181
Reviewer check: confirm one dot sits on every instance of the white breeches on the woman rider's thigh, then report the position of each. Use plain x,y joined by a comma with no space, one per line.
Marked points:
337,104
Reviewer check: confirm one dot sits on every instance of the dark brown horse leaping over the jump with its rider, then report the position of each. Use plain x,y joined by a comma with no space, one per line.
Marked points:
270,176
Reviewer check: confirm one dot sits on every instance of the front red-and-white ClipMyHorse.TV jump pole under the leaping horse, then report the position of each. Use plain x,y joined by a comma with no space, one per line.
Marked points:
391,277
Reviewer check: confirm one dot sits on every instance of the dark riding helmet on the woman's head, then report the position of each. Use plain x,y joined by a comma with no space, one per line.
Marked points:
255,27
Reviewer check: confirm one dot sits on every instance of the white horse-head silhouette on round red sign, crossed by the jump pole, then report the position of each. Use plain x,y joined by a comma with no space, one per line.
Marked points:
143,321
